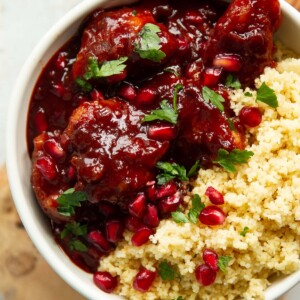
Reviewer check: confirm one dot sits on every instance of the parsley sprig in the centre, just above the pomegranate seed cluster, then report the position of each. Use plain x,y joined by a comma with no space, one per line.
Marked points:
170,171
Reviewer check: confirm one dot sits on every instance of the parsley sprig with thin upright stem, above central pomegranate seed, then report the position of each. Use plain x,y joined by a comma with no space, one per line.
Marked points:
166,112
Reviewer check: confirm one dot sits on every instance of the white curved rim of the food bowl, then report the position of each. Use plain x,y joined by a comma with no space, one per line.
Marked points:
58,263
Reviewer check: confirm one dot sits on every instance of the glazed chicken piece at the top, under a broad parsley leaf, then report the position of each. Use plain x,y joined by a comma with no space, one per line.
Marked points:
111,35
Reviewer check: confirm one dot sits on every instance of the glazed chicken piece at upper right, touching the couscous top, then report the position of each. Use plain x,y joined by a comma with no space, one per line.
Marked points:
244,34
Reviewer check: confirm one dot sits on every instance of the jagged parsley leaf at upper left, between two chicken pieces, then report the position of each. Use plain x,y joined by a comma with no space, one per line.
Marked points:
106,69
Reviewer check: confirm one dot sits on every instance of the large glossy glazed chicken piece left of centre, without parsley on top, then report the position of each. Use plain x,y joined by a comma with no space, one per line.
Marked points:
113,156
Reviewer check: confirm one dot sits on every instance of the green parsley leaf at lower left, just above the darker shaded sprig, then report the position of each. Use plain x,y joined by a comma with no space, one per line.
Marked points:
70,199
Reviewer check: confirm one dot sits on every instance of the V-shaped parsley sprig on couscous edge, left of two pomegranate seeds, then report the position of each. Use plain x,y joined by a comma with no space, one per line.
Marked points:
193,214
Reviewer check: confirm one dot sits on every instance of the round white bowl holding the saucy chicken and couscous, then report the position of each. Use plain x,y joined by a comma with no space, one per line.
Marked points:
18,161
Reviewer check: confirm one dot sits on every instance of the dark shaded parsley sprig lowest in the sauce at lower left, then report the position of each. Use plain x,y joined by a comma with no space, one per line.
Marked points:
75,230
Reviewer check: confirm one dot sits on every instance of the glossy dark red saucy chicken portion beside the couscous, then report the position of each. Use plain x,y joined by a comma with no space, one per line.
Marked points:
86,127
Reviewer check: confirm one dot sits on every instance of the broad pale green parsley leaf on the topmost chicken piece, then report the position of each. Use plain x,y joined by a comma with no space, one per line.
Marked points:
149,45
